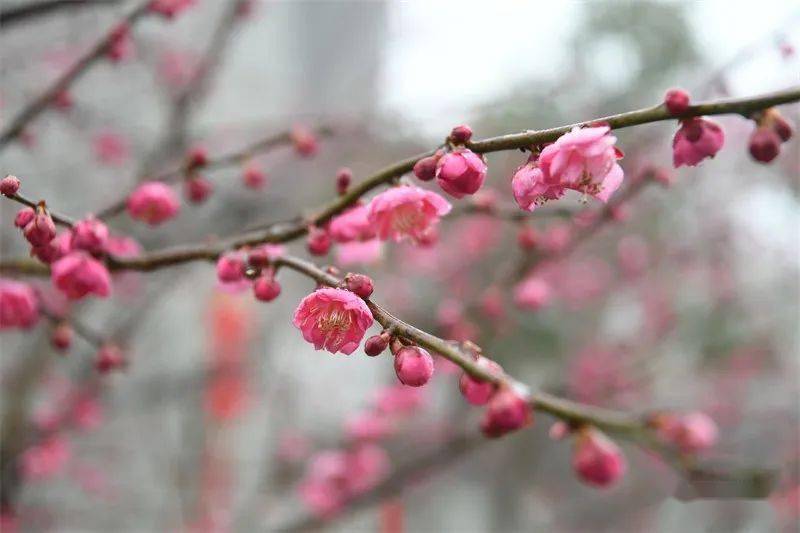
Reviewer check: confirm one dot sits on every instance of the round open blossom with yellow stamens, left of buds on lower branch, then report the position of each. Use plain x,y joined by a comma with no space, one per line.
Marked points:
333,319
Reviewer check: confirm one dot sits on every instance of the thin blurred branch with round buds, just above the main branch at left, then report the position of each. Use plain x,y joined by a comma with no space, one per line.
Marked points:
230,159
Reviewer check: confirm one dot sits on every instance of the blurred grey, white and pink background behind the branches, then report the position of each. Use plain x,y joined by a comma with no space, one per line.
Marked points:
689,300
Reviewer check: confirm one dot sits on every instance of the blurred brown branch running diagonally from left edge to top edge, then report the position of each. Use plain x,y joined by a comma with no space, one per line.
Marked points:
96,52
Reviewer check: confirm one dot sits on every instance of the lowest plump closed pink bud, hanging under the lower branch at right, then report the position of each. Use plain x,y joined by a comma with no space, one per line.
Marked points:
596,459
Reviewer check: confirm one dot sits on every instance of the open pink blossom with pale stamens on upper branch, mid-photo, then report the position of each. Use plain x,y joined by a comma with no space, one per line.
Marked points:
406,212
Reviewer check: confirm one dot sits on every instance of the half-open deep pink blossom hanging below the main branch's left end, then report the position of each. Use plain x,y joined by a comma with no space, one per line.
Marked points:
78,274
